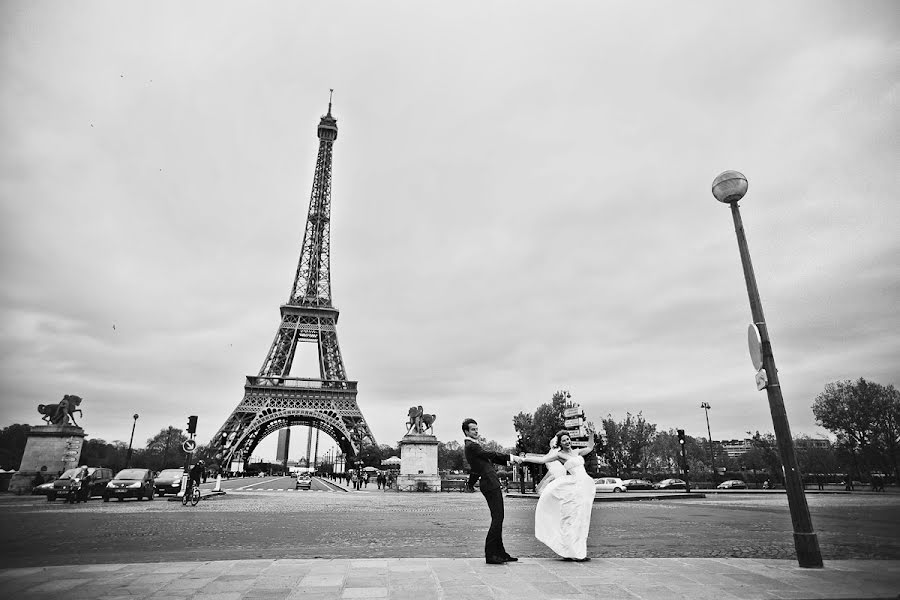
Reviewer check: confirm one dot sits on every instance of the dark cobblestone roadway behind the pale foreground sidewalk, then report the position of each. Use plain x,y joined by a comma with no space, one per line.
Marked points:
373,524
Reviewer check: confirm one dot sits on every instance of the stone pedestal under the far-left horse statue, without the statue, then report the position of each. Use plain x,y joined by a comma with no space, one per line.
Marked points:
50,450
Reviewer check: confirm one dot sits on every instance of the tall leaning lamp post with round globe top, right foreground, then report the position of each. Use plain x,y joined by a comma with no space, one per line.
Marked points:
728,188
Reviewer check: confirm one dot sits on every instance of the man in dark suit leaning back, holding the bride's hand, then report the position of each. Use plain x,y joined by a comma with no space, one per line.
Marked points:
480,461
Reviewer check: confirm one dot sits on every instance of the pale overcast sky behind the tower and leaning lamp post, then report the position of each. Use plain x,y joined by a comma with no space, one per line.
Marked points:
521,204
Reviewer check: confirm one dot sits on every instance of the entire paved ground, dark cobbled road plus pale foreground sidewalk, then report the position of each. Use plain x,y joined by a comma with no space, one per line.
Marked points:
261,541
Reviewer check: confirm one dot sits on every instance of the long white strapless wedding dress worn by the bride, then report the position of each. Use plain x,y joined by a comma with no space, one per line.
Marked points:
563,513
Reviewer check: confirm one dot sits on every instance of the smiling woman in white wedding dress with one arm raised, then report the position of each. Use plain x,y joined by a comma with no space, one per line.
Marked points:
563,513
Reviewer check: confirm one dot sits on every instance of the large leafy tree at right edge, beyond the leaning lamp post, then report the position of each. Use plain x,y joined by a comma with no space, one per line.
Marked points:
865,417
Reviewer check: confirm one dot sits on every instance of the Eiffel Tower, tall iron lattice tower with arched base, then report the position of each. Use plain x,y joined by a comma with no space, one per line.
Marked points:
273,400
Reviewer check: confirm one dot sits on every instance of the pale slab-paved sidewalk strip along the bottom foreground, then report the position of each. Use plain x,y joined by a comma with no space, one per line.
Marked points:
458,578
